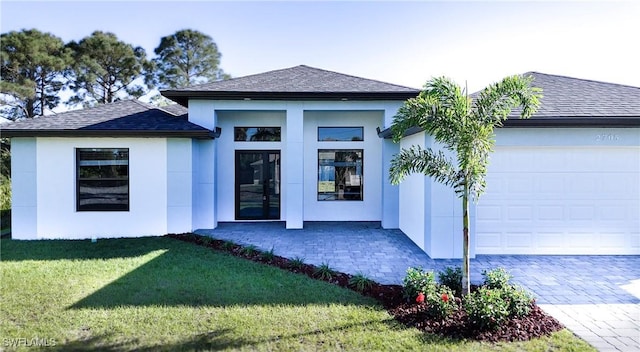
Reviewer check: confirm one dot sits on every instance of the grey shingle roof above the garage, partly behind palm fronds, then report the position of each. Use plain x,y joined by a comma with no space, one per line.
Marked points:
580,101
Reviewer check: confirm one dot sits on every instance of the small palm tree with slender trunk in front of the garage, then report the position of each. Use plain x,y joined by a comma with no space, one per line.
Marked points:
464,126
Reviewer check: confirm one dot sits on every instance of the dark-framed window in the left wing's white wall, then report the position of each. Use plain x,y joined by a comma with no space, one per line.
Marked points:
102,179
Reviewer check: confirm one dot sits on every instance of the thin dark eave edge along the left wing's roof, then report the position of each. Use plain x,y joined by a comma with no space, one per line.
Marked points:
204,134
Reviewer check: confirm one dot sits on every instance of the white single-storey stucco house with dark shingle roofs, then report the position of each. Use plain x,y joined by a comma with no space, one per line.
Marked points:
305,144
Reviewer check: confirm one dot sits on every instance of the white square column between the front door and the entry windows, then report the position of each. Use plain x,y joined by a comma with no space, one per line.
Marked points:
294,166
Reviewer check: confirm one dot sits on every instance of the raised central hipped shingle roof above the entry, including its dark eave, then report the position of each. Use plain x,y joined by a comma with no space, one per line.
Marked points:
295,83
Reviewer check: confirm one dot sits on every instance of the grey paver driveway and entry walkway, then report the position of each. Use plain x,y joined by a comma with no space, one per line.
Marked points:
596,297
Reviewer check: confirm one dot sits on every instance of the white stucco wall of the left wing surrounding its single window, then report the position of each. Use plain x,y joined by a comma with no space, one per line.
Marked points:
153,189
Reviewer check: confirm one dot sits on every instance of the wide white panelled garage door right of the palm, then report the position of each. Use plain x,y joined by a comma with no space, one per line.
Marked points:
561,200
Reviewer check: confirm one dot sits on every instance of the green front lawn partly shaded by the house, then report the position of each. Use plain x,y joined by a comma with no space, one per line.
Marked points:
164,294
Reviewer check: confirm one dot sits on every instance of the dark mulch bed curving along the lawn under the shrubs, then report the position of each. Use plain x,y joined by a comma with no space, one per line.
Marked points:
536,324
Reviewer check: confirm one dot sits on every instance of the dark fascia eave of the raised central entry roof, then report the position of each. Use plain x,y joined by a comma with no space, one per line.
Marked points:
182,97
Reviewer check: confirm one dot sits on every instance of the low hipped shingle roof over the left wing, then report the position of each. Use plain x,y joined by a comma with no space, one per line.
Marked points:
122,118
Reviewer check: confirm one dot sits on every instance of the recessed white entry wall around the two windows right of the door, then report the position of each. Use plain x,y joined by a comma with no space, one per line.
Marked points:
370,208
